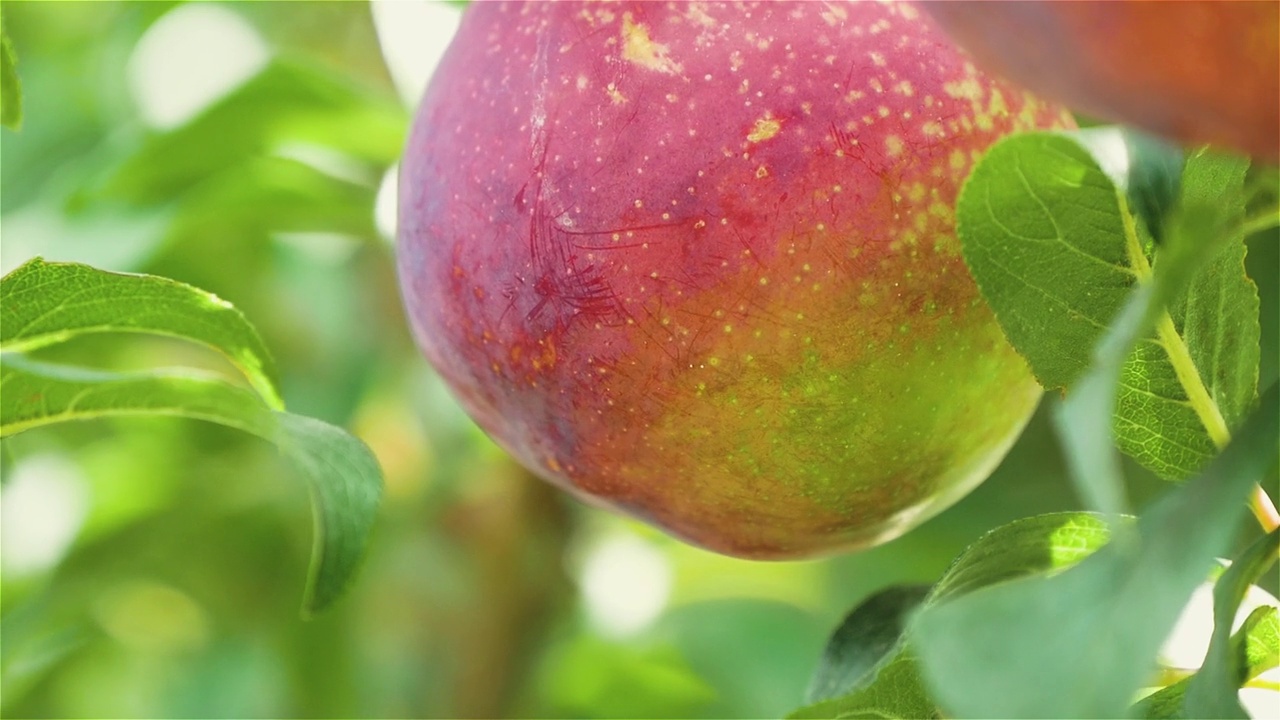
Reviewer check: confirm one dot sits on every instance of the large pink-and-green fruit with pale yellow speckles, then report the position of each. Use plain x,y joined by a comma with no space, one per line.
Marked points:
698,263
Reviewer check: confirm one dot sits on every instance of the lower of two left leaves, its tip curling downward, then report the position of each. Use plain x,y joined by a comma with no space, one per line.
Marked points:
344,476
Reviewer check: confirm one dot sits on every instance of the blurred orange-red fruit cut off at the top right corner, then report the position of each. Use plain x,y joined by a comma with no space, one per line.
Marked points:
1199,72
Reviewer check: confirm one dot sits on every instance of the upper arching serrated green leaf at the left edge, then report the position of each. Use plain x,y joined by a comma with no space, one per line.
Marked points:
43,304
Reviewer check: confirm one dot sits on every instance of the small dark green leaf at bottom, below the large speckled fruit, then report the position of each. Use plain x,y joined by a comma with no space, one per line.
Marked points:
862,641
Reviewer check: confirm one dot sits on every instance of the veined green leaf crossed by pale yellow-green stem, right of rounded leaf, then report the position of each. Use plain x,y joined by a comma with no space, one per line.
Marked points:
1183,391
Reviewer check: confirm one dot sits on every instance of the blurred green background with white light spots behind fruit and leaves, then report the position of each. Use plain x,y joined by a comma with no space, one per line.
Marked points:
154,568
